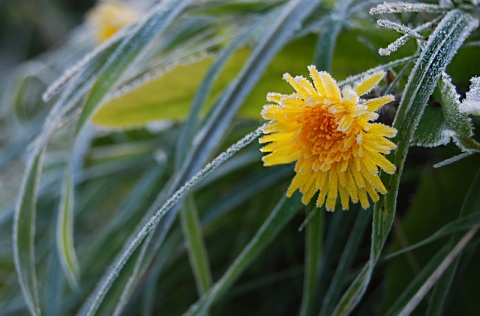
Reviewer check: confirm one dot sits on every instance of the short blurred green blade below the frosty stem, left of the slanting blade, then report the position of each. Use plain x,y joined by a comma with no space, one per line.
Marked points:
197,253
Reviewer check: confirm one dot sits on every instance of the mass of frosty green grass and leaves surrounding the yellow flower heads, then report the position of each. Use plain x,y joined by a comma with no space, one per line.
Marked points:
102,146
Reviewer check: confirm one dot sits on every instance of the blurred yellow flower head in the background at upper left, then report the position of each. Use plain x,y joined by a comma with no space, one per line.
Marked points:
109,17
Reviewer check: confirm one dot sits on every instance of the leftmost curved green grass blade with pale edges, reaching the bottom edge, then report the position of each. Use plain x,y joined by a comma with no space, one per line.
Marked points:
24,233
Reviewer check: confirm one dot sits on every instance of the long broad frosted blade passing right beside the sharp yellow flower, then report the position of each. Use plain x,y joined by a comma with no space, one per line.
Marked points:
437,54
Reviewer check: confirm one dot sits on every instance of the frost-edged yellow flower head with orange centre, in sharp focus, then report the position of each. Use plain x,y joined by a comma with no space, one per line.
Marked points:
329,134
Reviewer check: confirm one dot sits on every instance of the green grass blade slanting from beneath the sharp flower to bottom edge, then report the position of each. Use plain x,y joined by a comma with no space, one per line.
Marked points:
280,216
